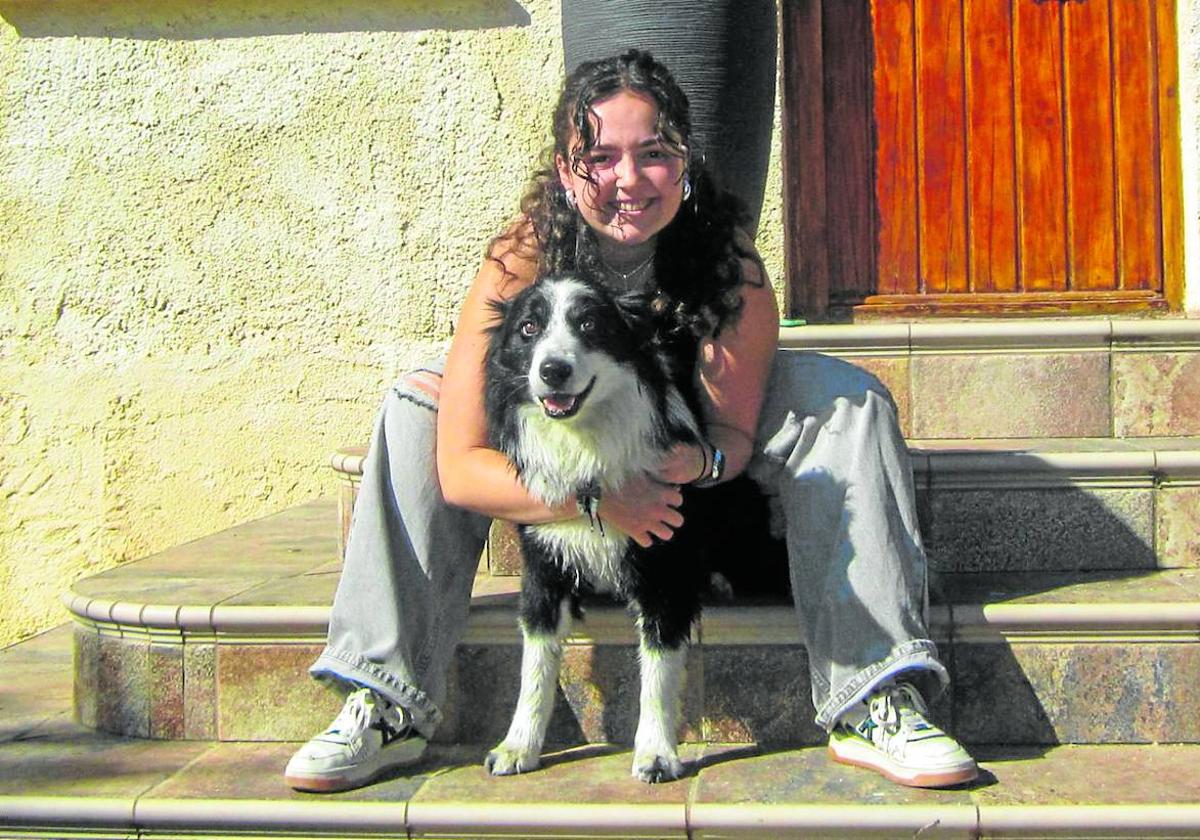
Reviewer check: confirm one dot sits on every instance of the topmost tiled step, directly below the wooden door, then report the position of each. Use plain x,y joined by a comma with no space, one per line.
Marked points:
1033,379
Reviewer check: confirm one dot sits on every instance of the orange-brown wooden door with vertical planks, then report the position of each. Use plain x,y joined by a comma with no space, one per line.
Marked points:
981,157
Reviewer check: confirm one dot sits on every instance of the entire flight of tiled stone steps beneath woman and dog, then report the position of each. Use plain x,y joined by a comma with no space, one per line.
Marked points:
1058,467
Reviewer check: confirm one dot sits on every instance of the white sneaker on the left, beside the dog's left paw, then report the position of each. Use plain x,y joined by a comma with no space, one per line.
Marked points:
369,737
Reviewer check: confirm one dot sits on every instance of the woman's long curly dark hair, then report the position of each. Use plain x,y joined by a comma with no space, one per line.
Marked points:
698,262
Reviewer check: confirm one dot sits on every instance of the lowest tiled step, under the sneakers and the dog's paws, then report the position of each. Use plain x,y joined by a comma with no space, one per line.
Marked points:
62,781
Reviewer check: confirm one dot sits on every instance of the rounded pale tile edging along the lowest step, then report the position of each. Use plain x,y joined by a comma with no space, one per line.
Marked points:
49,817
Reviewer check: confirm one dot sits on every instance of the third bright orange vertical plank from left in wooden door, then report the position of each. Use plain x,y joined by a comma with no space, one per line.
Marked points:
992,151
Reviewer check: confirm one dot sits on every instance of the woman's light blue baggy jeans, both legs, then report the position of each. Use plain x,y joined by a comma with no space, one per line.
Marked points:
829,451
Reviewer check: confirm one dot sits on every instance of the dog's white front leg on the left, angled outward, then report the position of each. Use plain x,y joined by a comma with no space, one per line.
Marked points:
541,659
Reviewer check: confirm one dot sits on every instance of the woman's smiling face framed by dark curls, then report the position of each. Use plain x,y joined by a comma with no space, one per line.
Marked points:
629,185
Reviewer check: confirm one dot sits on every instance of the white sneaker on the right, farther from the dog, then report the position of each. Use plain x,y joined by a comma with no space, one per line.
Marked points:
892,736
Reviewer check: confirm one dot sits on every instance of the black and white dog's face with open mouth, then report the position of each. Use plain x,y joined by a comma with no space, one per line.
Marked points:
568,346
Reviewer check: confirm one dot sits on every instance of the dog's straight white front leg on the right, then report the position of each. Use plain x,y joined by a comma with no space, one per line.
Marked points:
656,758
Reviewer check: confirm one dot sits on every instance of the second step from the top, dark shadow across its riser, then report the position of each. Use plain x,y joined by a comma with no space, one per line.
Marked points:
1084,505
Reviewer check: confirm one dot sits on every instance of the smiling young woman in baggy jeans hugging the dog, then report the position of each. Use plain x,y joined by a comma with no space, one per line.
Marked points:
623,197
